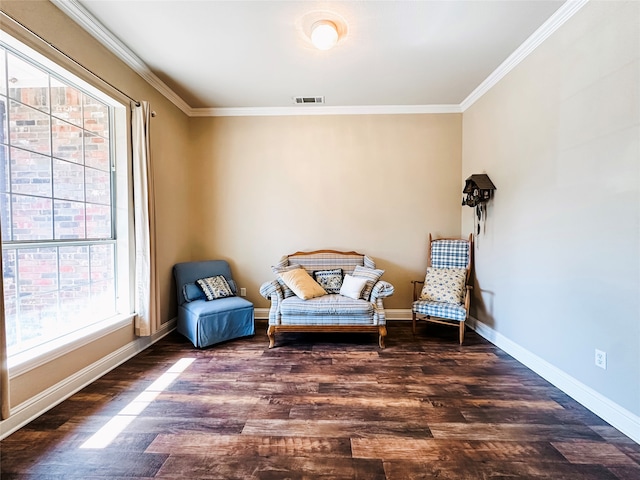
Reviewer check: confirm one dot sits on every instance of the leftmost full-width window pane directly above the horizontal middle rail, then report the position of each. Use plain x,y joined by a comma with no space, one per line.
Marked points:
32,218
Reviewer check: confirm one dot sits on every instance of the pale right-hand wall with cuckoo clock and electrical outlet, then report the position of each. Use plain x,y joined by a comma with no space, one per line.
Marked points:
558,269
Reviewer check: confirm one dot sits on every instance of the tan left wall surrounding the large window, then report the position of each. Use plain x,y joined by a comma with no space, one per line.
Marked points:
169,142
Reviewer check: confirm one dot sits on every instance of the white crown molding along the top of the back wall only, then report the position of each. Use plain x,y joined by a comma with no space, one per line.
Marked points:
324,110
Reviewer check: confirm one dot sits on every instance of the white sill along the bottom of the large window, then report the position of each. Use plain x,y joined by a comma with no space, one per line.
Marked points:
37,356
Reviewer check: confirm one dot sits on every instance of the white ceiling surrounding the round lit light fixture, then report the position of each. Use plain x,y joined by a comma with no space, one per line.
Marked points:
256,54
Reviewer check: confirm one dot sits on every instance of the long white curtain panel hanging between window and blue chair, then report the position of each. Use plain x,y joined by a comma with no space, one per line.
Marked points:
146,290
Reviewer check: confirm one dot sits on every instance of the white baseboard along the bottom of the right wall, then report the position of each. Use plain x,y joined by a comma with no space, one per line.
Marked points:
619,417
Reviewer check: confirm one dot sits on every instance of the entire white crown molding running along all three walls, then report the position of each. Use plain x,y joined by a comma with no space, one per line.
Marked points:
87,21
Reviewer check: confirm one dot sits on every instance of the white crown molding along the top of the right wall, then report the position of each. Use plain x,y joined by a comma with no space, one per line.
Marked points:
564,13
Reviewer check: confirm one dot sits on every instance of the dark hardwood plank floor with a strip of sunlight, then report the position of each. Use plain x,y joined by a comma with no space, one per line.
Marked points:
322,406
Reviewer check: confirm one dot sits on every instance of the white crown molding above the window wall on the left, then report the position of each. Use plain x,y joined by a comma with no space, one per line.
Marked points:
86,20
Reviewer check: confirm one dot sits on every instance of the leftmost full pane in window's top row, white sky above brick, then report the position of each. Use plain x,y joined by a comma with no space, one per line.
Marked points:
28,84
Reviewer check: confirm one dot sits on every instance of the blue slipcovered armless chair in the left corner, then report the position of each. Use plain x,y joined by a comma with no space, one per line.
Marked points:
207,322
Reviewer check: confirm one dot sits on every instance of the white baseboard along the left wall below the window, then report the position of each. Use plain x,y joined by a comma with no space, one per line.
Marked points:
52,396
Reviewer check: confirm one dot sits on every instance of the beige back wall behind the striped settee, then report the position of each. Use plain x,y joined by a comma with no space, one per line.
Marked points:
267,186
